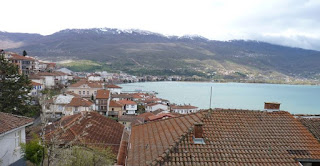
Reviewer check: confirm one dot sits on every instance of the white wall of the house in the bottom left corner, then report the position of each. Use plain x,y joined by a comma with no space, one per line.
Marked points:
10,150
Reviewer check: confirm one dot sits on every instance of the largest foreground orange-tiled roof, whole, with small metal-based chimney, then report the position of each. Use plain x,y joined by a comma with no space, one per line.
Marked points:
224,137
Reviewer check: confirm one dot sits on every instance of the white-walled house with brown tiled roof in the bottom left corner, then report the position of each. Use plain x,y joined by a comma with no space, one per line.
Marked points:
12,133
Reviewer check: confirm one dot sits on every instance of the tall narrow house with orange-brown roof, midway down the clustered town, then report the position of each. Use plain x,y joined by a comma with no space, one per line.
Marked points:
103,101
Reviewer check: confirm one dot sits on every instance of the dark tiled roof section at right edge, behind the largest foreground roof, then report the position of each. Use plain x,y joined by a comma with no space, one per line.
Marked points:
313,125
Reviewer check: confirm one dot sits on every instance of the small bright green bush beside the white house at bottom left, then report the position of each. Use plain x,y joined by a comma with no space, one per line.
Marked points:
33,150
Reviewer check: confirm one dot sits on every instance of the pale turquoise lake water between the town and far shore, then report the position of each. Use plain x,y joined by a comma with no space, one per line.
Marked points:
293,98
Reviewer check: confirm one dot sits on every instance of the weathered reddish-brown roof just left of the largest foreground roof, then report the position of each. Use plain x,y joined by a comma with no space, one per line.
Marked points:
92,130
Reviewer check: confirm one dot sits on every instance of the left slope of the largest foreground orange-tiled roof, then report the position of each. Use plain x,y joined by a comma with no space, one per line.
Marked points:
151,140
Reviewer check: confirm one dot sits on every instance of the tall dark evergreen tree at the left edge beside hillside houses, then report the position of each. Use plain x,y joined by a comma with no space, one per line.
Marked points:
14,90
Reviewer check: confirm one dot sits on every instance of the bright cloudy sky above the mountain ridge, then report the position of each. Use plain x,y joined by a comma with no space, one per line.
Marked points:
286,22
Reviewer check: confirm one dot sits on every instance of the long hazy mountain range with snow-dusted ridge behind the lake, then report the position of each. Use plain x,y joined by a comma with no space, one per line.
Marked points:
144,52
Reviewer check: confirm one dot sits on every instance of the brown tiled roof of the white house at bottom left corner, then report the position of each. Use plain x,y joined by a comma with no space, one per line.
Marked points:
9,121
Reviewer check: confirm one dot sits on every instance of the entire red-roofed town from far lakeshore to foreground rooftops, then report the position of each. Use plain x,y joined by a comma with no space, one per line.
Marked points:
87,118
